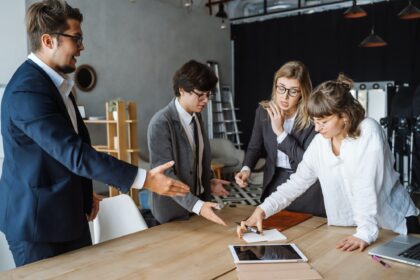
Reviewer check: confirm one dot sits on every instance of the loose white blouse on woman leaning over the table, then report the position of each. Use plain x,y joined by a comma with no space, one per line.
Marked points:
360,186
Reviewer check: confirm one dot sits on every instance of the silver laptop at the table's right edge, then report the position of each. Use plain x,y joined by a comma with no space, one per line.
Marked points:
403,248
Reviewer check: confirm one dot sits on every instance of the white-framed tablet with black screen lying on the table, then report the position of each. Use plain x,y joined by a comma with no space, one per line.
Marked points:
267,253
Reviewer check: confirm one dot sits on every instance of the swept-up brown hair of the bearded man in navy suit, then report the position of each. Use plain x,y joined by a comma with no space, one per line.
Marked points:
47,17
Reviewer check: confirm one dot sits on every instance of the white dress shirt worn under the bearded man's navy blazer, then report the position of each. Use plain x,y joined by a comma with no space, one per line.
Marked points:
65,85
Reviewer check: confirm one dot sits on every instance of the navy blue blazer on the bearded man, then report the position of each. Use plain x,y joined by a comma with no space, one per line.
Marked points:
46,187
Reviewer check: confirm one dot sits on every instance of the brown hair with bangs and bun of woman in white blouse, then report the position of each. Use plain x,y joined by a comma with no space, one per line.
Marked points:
335,98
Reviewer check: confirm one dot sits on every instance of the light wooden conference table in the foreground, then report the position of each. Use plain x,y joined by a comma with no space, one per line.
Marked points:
197,249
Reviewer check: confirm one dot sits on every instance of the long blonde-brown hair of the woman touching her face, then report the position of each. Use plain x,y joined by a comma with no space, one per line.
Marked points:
295,70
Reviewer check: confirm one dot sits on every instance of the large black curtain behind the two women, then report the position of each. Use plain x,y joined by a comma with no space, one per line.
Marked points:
328,44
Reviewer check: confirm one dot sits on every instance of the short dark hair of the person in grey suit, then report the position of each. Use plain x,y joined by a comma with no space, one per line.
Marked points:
194,75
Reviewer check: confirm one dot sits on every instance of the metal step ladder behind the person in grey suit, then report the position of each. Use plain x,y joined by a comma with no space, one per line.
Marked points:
221,116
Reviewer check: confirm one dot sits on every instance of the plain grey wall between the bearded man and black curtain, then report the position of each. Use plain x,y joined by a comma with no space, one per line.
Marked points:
135,46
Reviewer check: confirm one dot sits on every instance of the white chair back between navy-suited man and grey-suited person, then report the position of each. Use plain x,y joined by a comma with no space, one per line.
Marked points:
118,216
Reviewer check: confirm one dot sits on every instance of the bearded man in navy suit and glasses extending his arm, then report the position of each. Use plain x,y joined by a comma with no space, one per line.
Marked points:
46,196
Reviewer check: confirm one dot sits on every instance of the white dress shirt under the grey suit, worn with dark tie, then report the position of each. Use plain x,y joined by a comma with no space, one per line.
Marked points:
186,119
